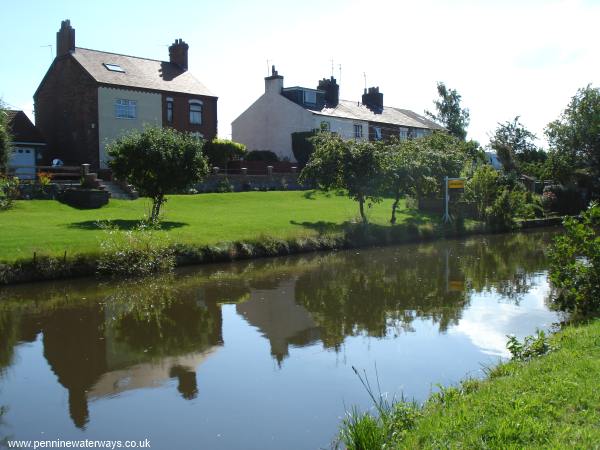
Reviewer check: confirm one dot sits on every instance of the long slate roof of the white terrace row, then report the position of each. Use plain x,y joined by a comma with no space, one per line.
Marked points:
348,109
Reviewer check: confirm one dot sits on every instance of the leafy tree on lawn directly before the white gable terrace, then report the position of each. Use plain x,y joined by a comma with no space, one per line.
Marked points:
355,166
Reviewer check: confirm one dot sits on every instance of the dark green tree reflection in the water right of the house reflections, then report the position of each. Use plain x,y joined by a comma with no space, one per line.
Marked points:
383,292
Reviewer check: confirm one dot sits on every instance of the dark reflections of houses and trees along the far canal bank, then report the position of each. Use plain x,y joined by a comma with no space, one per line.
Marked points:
104,339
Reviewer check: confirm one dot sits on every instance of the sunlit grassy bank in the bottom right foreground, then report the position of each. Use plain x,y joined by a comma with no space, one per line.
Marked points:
552,401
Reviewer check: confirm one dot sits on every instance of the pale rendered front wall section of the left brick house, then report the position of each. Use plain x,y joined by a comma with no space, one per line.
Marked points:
149,112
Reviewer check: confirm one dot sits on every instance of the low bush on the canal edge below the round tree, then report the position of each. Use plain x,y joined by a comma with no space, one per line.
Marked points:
136,252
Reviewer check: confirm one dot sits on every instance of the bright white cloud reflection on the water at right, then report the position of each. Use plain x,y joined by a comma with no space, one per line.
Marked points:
488,320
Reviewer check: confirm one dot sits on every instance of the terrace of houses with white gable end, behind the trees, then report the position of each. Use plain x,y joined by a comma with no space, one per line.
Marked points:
269,122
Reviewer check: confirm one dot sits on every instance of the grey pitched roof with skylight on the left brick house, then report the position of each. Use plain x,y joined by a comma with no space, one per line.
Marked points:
139,73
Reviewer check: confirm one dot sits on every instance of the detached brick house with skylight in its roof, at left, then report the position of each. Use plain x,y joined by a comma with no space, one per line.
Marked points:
88,98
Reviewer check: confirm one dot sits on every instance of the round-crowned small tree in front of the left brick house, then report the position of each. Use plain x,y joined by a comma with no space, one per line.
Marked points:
158,161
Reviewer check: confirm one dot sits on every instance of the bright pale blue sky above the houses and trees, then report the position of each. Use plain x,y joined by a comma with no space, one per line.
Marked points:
505,58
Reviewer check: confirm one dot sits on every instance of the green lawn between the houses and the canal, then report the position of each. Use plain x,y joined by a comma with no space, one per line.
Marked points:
51,228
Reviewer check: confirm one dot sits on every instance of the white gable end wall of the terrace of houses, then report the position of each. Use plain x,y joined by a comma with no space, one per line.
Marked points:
269,122
